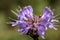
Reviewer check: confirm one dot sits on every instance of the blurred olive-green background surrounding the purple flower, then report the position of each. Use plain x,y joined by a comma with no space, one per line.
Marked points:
7,32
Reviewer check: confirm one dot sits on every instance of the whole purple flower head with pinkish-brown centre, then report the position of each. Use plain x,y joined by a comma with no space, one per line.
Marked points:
27,20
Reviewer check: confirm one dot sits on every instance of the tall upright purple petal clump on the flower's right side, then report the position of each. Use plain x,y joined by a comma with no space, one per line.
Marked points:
47,17
